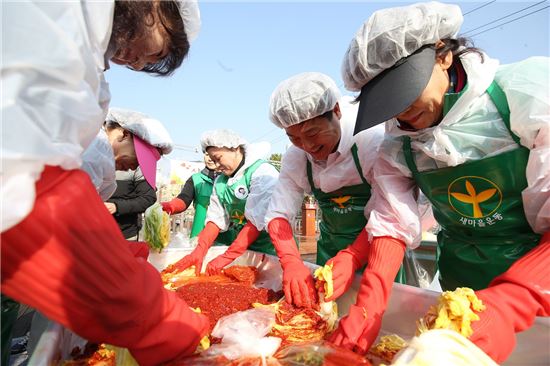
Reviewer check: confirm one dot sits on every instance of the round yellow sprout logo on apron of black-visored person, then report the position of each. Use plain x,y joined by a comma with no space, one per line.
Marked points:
474,197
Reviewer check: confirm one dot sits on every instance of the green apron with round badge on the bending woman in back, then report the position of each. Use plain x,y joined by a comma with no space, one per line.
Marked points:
233,199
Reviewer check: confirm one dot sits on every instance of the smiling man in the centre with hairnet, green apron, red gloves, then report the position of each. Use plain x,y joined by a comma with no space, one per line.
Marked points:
336,167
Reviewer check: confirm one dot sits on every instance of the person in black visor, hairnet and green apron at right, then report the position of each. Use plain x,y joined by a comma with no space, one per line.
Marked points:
474,136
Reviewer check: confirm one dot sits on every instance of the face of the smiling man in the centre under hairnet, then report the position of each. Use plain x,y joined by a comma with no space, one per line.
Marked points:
319,136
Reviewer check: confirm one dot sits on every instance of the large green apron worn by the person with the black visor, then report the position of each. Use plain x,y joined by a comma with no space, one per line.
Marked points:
479,207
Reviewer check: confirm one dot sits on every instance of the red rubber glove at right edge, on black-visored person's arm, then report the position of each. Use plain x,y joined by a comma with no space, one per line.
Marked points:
512,301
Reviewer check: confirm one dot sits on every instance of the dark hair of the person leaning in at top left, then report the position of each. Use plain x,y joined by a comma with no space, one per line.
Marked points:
131,20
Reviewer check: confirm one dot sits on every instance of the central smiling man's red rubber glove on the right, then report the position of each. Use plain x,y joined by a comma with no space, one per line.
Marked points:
347,262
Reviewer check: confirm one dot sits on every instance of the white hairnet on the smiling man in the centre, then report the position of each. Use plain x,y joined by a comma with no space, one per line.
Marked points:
302,97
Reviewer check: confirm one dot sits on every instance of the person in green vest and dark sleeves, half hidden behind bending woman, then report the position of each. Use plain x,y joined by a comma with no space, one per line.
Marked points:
198,189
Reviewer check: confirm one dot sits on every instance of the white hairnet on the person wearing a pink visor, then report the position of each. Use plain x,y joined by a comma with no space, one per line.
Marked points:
147,128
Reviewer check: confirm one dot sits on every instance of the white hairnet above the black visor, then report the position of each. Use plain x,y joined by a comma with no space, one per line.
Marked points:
393,33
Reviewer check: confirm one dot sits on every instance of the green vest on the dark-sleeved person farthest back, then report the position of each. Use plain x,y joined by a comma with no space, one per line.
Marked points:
203,186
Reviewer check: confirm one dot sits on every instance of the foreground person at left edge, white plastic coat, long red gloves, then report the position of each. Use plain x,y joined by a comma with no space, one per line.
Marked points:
62,251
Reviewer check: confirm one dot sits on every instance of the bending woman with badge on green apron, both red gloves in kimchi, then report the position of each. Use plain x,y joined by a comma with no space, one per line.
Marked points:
238,202
